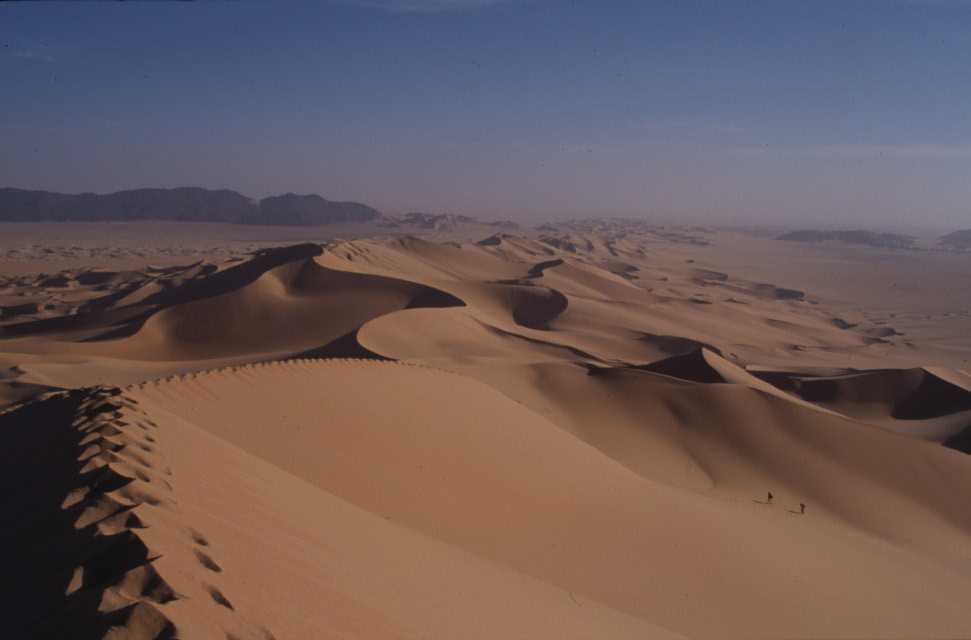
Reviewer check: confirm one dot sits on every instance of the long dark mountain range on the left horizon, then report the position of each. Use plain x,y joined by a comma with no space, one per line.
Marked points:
188,204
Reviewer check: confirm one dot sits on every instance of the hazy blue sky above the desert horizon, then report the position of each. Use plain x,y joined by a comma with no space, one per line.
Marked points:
848,113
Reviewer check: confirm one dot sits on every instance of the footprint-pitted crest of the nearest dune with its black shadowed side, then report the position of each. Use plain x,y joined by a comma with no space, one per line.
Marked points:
87,562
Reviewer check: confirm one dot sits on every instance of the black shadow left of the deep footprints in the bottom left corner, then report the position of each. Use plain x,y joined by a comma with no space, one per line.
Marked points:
56,573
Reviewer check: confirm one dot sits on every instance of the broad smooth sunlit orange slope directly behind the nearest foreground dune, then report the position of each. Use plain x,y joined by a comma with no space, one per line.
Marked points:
462,471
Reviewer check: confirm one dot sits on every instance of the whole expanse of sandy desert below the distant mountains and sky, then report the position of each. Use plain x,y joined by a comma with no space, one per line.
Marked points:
216,431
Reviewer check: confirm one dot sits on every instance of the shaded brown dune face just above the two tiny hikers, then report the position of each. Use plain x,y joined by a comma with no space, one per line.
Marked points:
736,442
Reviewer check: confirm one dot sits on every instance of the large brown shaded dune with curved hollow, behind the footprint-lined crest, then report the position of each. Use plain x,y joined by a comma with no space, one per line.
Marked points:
280,300
